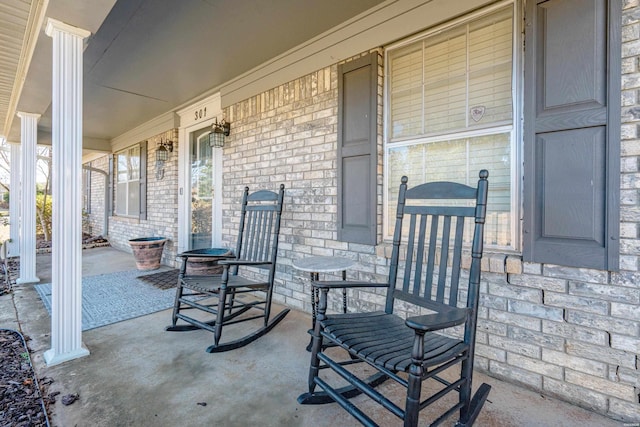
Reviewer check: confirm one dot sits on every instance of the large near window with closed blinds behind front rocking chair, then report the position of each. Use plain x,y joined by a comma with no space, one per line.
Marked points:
450,113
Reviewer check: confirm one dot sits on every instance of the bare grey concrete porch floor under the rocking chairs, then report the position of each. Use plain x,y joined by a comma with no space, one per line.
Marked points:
139,375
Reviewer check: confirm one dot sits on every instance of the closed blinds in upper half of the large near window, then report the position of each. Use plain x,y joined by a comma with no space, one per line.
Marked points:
456,80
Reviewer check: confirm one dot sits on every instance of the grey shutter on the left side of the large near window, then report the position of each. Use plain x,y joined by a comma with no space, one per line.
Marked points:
357,154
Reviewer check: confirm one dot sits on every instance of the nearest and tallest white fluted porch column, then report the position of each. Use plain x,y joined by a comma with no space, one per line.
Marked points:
66,241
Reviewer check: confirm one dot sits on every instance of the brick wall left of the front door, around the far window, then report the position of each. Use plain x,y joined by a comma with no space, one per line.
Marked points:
162,203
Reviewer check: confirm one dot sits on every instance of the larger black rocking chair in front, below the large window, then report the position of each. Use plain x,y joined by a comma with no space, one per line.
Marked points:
430,283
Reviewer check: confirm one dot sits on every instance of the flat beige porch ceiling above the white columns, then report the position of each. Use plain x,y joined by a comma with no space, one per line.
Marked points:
147,57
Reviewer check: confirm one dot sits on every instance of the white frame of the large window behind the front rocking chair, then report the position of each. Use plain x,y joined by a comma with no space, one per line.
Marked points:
516,151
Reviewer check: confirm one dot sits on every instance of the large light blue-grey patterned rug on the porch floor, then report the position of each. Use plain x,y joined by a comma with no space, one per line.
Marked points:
114,297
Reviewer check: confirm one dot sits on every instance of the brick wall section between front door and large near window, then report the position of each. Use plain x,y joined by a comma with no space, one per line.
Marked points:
289,135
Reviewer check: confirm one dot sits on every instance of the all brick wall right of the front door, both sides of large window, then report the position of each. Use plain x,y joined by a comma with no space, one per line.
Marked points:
567,332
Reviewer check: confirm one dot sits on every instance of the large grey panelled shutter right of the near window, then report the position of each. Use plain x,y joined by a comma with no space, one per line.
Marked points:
572,133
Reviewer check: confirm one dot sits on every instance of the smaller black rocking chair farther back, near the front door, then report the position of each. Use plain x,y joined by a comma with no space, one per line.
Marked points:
230,298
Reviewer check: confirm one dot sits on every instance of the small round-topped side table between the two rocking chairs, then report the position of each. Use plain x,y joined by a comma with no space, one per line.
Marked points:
323,264
